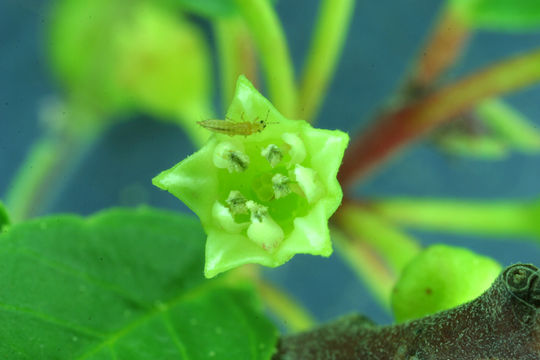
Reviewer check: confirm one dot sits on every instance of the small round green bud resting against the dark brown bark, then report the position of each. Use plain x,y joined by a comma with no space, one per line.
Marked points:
439,278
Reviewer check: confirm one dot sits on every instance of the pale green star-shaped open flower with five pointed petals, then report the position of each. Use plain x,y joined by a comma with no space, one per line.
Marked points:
262,197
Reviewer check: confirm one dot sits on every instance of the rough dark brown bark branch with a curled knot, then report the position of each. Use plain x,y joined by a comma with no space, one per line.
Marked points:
503,323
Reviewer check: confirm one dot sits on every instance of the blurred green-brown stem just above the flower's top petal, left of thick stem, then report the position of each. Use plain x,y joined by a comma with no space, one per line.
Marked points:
236,55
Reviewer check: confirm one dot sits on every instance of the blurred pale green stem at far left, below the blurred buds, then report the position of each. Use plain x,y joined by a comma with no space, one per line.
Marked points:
39,177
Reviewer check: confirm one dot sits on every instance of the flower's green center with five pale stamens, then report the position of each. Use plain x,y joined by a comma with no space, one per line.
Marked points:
268,188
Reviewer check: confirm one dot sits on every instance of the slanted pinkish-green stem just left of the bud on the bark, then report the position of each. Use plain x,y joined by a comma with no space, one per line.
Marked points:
367,264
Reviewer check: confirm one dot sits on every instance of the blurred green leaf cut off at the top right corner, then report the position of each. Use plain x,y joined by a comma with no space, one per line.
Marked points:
500,14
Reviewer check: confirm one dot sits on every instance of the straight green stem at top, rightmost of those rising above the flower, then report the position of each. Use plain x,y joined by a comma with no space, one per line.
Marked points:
330,32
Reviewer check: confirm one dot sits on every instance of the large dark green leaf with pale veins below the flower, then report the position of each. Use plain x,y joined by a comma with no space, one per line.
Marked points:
123,284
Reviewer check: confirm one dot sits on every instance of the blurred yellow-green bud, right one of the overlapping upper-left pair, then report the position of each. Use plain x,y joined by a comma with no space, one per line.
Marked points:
164,62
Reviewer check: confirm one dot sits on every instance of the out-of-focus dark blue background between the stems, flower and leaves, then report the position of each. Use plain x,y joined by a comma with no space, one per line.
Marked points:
384,37
